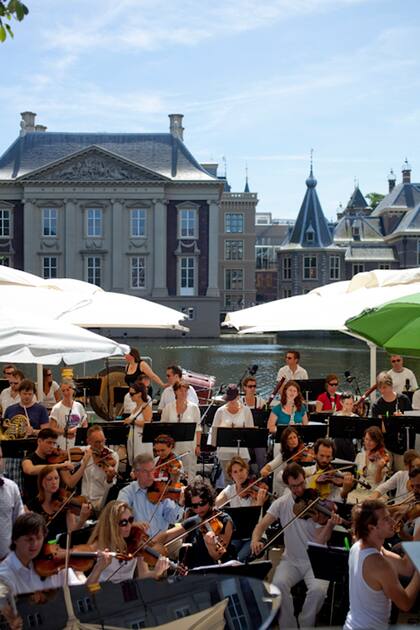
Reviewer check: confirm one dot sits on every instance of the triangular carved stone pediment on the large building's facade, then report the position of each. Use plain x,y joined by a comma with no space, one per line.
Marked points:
93,165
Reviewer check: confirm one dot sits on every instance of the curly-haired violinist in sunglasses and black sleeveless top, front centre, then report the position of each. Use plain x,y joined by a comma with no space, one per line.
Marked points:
206,546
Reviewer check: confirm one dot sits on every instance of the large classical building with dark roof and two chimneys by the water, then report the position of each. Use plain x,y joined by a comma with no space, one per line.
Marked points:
133,213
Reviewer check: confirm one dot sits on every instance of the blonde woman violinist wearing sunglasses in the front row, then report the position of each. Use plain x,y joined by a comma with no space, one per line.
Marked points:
112,532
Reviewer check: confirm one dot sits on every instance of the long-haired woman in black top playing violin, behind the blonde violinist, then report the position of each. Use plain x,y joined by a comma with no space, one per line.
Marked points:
49,503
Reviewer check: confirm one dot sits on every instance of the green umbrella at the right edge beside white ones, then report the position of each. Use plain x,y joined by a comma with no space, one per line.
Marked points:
394,326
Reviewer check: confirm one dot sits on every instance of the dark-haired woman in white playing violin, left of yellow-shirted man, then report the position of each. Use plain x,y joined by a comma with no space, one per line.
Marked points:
290,446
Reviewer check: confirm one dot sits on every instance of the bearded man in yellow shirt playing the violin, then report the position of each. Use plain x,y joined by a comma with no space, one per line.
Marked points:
337,488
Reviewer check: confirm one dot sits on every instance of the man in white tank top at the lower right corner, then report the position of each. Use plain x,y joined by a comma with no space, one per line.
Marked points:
374,571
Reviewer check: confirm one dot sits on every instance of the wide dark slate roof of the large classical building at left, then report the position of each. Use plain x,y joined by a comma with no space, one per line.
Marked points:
162,153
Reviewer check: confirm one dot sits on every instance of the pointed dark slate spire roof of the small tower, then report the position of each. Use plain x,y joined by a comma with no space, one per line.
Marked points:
310,221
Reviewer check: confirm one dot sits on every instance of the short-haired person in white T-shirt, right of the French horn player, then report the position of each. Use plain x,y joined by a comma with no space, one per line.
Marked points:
67,415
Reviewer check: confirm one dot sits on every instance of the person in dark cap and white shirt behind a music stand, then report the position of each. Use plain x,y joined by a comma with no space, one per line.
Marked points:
234,414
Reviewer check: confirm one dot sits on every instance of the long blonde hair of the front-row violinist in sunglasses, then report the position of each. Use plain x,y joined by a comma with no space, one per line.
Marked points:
107,532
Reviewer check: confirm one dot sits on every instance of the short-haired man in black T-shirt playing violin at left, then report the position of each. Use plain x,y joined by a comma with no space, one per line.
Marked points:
34,462
